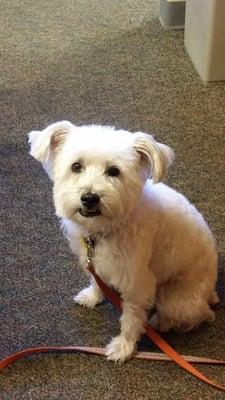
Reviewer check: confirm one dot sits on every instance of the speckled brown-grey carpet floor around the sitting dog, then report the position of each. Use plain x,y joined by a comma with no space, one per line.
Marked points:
109,63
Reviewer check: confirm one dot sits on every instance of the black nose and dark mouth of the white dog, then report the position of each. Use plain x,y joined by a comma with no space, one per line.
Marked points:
90,205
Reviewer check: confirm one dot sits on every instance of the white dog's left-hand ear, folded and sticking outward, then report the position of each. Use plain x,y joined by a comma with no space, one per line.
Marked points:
42,143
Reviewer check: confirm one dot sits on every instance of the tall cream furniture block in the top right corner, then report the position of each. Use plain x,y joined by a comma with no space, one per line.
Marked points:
205,37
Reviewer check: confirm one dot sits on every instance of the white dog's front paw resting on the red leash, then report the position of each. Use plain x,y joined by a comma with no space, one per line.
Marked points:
120,349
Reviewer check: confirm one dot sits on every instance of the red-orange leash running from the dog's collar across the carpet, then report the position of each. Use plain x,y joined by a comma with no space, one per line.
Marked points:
170,353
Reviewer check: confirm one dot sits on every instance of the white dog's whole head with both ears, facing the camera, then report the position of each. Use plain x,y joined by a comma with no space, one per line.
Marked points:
98,172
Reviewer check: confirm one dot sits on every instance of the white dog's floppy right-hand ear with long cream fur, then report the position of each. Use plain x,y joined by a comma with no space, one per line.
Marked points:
156,156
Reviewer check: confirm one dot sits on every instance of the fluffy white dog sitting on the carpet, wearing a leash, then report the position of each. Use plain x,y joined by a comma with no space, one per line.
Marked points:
151,244
